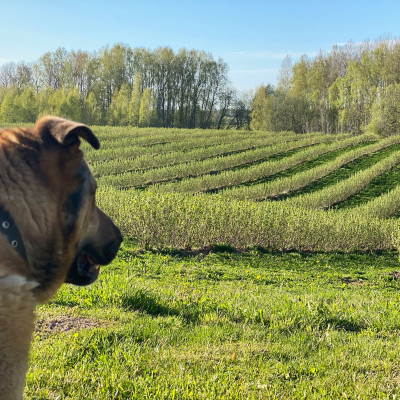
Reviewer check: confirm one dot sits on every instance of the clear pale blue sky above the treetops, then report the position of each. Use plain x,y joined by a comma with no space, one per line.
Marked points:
252,36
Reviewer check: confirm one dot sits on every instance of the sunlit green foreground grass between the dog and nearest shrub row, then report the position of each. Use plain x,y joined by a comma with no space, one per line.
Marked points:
224,325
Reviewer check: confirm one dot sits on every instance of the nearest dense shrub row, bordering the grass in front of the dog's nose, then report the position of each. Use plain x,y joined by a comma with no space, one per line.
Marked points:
194,222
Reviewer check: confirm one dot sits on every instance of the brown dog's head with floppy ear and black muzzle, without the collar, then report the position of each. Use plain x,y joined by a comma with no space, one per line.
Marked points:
67,237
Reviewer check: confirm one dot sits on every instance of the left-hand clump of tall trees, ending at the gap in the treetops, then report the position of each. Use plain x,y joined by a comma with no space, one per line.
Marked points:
124,86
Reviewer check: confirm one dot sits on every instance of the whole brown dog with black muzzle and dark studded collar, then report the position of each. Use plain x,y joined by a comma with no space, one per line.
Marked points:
51,231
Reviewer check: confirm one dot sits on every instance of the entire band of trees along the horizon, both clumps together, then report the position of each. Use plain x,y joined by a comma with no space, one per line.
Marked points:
353,88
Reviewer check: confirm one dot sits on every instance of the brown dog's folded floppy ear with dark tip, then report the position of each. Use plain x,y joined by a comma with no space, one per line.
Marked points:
65,132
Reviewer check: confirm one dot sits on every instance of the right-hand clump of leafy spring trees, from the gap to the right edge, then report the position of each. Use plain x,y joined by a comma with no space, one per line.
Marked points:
353,88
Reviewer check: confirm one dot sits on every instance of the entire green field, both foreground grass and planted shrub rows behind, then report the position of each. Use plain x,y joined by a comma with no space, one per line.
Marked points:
255,266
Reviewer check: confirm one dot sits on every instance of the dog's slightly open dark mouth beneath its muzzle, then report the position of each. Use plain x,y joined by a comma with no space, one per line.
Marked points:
84,270
